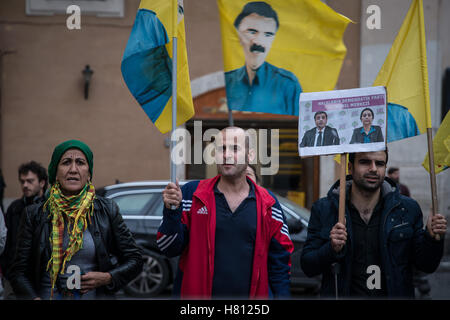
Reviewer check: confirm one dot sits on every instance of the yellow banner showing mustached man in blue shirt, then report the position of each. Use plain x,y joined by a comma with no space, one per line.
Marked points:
274,50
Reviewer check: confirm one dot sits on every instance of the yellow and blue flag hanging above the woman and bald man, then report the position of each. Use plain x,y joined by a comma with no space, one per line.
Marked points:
147,62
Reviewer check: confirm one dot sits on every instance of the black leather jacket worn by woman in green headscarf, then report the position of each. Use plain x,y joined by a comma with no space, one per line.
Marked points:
115,249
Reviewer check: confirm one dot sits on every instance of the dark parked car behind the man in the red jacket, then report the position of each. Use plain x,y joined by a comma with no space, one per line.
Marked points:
141,206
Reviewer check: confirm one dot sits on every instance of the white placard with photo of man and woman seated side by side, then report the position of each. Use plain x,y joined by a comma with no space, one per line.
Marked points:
341,121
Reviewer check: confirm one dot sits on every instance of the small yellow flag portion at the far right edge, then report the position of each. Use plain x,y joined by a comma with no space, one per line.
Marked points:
441,147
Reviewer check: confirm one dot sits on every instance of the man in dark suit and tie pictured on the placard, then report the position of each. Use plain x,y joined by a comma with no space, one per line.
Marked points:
321,135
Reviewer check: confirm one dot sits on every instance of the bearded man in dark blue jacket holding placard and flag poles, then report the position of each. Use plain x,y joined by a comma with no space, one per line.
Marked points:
381,240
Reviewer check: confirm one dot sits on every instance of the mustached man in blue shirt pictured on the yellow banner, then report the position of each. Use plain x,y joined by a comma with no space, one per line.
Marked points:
259,85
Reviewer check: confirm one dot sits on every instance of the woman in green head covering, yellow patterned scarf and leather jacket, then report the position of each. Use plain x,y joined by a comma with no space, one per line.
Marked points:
74,245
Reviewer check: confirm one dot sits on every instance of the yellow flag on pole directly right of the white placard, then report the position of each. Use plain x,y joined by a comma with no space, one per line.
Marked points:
405,72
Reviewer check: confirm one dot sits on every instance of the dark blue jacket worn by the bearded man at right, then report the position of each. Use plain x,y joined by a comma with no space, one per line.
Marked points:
403,243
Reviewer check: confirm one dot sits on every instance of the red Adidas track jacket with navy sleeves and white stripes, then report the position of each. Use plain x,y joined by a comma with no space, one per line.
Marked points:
190,231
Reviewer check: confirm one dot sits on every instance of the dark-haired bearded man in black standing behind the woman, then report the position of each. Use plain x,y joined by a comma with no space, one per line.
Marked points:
33,182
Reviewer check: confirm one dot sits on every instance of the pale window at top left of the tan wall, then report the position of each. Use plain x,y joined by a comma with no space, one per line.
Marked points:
100,8
